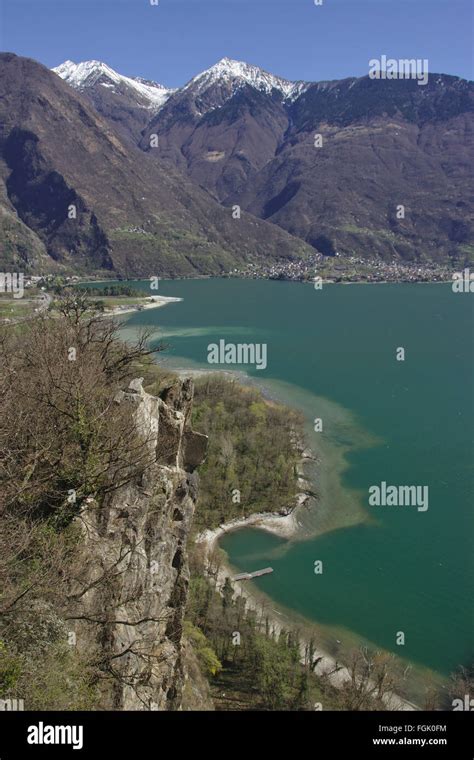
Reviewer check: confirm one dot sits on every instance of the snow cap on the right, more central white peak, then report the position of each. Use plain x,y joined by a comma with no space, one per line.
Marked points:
239,73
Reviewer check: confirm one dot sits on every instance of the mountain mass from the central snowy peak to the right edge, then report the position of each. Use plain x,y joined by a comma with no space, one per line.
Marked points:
251,138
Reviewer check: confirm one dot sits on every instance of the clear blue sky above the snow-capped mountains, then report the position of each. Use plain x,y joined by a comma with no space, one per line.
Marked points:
175,40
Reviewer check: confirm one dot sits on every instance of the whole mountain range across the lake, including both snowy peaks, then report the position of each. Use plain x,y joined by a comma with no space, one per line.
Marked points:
380,169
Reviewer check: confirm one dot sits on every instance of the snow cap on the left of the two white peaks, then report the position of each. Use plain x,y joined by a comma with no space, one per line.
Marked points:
88,74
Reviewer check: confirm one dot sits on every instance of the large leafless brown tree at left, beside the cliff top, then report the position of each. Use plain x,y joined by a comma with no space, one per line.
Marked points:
63,437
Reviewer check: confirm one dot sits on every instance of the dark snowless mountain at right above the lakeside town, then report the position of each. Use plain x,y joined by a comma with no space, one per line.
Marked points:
392,178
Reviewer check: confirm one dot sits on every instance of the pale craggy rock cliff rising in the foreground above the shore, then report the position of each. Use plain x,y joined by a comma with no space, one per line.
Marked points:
129,597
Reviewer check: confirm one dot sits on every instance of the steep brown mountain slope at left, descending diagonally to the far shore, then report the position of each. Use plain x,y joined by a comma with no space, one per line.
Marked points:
76,196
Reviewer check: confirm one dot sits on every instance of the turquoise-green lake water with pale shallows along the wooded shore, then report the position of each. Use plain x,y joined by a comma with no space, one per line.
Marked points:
332,354
